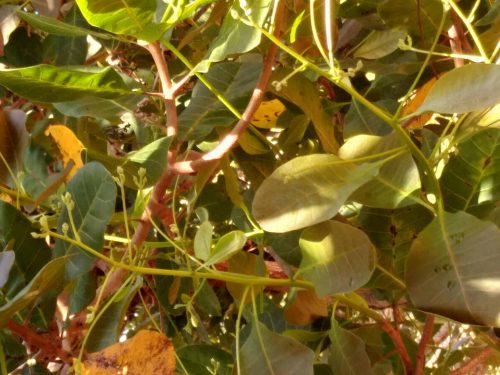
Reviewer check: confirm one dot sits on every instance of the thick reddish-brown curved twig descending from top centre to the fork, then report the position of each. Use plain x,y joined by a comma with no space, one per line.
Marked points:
230,139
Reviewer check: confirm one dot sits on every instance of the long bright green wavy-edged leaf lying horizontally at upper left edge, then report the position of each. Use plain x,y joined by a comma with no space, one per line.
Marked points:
46,83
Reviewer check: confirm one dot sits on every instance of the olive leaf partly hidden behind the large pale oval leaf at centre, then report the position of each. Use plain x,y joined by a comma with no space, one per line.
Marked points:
397,180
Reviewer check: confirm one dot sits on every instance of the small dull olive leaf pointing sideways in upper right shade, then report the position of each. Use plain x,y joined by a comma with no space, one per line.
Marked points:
379,44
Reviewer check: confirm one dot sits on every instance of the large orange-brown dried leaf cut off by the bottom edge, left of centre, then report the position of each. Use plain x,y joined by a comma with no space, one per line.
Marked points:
147,353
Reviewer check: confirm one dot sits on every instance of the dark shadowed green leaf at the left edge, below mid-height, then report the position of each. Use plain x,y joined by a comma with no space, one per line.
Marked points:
31,254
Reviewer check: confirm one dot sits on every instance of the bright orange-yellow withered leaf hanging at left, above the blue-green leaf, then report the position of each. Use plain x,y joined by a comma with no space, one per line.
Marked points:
69,146
